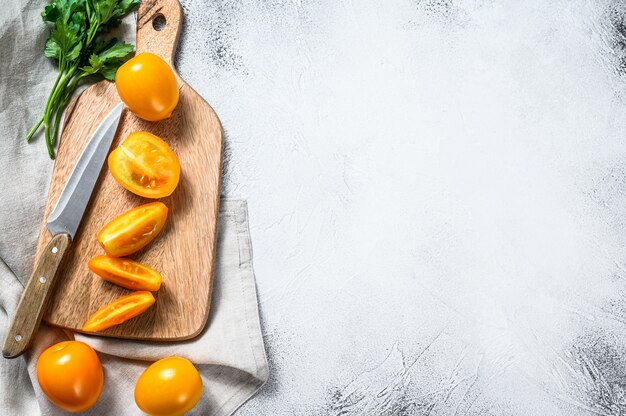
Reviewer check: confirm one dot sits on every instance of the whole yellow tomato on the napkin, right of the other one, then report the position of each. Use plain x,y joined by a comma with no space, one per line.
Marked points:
169,387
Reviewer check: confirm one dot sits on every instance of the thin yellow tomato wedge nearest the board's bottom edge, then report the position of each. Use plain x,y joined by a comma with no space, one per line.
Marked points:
118,311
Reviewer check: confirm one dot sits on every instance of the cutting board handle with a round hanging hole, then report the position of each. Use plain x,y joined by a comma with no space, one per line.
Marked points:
158,28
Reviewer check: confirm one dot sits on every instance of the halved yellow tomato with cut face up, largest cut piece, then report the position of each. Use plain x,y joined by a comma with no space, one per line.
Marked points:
145,165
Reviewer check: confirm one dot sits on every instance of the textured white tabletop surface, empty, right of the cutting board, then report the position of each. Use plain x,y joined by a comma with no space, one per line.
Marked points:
437,194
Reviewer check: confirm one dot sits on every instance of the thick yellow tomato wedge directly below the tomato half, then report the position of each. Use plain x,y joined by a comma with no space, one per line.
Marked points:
133,230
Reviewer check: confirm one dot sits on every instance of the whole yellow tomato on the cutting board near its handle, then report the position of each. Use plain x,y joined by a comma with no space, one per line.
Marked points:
148,86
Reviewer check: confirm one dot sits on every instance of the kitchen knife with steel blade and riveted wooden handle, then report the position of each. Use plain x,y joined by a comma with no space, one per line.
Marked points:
62,223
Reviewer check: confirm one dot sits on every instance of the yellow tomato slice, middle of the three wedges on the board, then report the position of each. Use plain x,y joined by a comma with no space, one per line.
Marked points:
126,273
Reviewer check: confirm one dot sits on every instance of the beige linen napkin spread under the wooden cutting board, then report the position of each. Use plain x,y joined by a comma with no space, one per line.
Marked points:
229,353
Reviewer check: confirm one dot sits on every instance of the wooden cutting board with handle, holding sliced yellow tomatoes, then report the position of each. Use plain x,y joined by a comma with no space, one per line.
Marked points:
185,250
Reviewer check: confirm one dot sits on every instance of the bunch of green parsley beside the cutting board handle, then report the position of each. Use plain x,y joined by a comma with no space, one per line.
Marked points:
76,46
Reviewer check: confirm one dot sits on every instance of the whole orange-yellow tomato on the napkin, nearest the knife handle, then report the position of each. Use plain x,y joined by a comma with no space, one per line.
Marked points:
70,374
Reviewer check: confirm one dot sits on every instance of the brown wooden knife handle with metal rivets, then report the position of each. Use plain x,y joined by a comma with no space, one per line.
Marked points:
32,304
